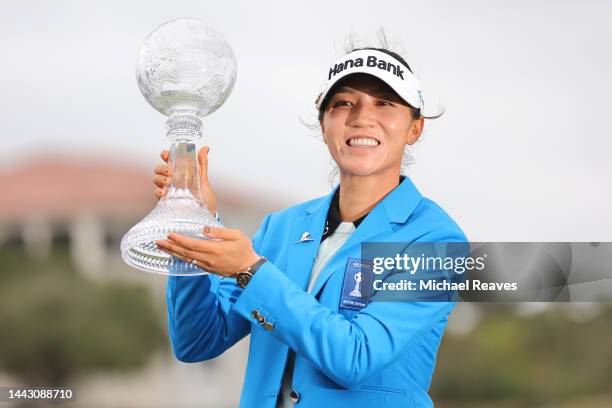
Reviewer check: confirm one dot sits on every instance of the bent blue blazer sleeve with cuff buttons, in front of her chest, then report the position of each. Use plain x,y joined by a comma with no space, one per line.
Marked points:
347,351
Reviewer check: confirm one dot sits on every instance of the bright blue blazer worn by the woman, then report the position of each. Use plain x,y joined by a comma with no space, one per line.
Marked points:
382,355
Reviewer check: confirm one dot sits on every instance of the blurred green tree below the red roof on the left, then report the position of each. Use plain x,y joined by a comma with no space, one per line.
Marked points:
56,324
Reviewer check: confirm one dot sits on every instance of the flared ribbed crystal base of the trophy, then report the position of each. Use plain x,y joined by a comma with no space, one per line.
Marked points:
181,215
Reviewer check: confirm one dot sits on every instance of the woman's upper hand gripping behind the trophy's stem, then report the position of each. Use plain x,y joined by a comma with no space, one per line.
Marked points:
163,178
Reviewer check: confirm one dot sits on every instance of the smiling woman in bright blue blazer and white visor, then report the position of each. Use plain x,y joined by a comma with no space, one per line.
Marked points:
314,344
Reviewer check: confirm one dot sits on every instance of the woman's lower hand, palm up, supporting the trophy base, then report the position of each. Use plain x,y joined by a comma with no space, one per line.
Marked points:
227,252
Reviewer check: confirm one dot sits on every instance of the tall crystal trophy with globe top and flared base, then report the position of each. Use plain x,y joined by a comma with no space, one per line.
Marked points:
185,70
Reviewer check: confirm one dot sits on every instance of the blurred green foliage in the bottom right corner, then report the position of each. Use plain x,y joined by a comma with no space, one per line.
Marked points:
531,360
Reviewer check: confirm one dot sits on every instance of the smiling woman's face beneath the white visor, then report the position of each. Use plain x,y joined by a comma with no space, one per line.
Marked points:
367,126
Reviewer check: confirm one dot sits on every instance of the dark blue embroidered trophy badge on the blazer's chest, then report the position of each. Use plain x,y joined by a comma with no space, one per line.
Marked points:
357,286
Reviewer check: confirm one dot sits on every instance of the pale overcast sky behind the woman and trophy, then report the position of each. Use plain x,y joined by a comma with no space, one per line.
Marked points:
521,153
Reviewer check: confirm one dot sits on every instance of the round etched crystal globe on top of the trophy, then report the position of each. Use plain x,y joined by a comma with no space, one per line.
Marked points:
185,66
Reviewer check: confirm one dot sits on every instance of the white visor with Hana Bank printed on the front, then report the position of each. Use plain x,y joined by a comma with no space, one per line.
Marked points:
381,65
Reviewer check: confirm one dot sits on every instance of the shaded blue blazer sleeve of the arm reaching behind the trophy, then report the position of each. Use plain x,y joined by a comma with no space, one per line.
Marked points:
201,321
